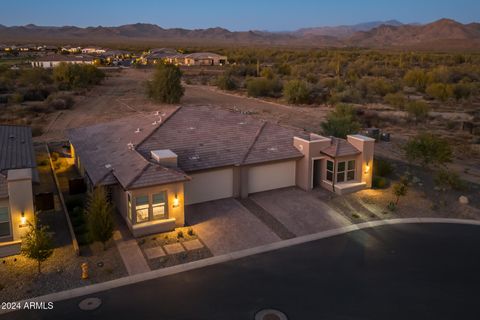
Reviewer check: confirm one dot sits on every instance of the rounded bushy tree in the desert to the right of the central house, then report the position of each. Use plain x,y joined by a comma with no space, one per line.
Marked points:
428,149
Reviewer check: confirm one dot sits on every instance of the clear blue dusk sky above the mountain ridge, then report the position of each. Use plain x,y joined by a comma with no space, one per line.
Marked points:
239,15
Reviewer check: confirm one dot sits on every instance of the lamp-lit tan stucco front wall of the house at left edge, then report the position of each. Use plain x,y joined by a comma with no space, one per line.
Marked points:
20,199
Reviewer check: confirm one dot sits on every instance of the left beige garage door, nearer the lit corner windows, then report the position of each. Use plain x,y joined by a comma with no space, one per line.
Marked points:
210,185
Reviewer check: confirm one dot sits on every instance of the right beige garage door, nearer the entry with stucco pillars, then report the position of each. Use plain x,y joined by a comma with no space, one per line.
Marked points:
271,176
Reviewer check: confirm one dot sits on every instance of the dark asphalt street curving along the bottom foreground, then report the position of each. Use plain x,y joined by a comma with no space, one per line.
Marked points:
406,271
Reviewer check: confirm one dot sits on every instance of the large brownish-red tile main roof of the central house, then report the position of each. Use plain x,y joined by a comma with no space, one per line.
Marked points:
202,137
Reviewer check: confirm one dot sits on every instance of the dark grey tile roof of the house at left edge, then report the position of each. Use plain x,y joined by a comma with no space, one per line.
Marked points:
16,148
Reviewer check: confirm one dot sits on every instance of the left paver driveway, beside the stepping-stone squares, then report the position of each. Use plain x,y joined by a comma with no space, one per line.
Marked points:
226,226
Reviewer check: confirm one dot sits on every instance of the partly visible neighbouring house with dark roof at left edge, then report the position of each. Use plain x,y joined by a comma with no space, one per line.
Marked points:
17,171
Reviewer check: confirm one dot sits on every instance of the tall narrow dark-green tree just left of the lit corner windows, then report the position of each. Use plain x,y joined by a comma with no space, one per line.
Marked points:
100,216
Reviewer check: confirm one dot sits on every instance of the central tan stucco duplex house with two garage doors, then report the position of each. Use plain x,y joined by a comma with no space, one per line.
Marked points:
152,166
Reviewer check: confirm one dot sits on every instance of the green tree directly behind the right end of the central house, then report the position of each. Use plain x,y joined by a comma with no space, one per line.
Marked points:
341,122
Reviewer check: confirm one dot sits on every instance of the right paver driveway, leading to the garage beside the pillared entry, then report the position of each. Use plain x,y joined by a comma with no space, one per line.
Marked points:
299,211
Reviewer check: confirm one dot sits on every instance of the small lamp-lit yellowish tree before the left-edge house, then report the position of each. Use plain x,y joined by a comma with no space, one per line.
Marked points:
37,244
